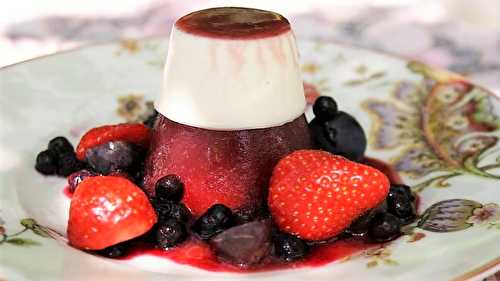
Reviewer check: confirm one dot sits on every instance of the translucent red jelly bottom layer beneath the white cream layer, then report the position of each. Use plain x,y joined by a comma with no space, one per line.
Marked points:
228,167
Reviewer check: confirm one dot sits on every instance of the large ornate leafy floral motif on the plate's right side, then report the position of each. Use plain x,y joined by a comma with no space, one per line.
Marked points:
413,120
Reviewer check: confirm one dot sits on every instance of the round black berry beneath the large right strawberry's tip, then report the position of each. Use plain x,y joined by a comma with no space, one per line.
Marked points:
384,227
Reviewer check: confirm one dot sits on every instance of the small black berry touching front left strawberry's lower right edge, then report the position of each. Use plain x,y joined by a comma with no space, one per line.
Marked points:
170,233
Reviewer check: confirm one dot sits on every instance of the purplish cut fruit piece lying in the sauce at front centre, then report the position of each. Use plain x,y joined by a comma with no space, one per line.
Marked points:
245,244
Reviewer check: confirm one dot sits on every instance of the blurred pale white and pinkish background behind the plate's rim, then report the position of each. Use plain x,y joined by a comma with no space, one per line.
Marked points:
461,35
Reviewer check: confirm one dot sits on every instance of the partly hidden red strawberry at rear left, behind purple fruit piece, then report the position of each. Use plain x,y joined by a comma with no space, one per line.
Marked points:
133,133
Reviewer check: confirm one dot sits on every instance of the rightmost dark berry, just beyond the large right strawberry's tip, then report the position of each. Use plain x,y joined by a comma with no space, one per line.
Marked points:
401,203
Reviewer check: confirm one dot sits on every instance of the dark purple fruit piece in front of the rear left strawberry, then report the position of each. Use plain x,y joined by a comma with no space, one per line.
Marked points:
111,156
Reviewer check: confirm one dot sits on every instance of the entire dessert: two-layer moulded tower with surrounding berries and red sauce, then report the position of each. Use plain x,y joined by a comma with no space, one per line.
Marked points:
227,175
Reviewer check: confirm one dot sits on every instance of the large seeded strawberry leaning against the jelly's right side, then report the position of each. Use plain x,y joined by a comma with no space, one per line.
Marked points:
316,195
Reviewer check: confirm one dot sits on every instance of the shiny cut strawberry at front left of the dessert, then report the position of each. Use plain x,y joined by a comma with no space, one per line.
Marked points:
106,210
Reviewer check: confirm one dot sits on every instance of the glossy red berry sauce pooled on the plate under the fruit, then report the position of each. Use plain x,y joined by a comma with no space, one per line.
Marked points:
200,254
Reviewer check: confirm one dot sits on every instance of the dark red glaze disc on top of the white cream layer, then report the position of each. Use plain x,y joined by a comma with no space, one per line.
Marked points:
233,23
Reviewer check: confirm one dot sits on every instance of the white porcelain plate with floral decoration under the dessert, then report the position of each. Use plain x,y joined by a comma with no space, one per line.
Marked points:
438,130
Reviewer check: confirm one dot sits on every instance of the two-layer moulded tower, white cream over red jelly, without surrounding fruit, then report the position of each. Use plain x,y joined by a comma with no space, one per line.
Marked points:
232,105
